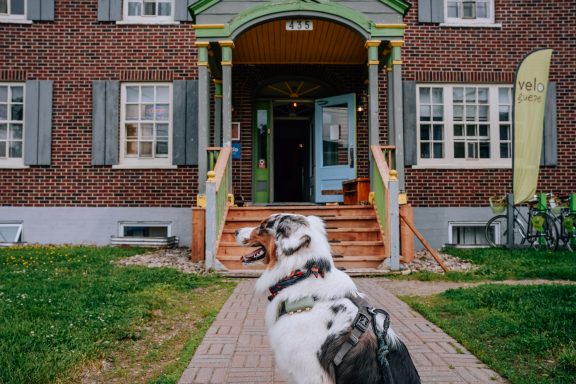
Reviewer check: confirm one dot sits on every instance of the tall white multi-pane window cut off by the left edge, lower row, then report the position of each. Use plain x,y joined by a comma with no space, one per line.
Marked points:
11,124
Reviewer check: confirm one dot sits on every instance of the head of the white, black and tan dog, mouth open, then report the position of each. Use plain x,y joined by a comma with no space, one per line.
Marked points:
279,236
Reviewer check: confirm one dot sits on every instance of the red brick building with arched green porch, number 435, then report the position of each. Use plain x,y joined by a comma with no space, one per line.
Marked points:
107,107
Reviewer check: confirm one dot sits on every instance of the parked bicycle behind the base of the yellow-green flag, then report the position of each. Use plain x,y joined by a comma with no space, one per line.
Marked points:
537,231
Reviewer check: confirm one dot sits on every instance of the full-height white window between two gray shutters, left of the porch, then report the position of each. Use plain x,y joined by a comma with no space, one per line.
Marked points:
146,127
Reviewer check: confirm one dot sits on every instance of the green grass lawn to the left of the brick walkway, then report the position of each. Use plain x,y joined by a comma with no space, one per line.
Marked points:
65,309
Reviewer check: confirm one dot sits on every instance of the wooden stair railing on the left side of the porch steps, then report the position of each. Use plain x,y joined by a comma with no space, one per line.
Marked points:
217,200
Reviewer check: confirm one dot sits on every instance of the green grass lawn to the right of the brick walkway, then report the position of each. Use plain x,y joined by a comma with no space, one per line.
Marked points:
525,333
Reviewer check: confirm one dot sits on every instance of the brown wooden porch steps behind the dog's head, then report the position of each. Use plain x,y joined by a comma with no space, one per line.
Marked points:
353,233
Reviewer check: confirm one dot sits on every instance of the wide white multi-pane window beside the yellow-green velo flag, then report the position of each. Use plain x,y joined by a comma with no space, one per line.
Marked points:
464,125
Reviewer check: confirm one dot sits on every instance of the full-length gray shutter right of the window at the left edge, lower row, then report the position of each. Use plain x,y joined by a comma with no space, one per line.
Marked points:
38,122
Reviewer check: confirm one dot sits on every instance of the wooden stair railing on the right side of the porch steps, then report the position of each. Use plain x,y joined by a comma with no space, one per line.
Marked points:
385,200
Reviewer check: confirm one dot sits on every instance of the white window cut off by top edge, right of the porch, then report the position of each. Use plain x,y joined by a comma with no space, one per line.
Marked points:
469,12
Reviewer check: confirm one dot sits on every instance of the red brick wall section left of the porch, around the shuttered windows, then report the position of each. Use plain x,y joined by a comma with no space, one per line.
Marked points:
73,50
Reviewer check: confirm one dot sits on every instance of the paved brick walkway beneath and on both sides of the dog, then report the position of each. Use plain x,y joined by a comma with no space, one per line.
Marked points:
235,348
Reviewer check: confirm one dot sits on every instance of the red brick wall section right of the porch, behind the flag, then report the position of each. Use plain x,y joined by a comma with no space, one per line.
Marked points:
490,55
